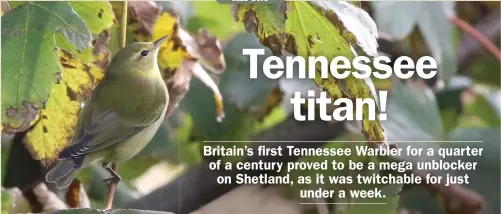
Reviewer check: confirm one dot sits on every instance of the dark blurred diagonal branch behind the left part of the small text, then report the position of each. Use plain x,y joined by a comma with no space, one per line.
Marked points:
198,187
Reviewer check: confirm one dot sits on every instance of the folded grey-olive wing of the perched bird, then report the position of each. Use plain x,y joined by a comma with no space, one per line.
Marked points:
100,129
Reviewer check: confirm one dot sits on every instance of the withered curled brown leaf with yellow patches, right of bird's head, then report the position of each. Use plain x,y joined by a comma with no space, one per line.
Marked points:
181,57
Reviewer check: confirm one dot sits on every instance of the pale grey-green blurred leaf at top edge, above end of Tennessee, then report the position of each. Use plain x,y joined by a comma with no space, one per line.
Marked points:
432,18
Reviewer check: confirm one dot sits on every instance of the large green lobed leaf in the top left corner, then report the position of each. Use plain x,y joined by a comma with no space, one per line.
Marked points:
31,68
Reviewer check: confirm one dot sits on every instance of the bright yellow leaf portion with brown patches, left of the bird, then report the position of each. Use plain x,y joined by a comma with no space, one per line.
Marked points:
56,123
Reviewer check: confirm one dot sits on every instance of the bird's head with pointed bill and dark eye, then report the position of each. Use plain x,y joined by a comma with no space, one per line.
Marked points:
137,58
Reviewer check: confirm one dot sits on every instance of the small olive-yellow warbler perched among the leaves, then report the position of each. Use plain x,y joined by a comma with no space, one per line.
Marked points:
121,116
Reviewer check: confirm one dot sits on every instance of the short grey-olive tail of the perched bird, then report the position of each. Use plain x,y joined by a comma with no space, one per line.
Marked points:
62,174
